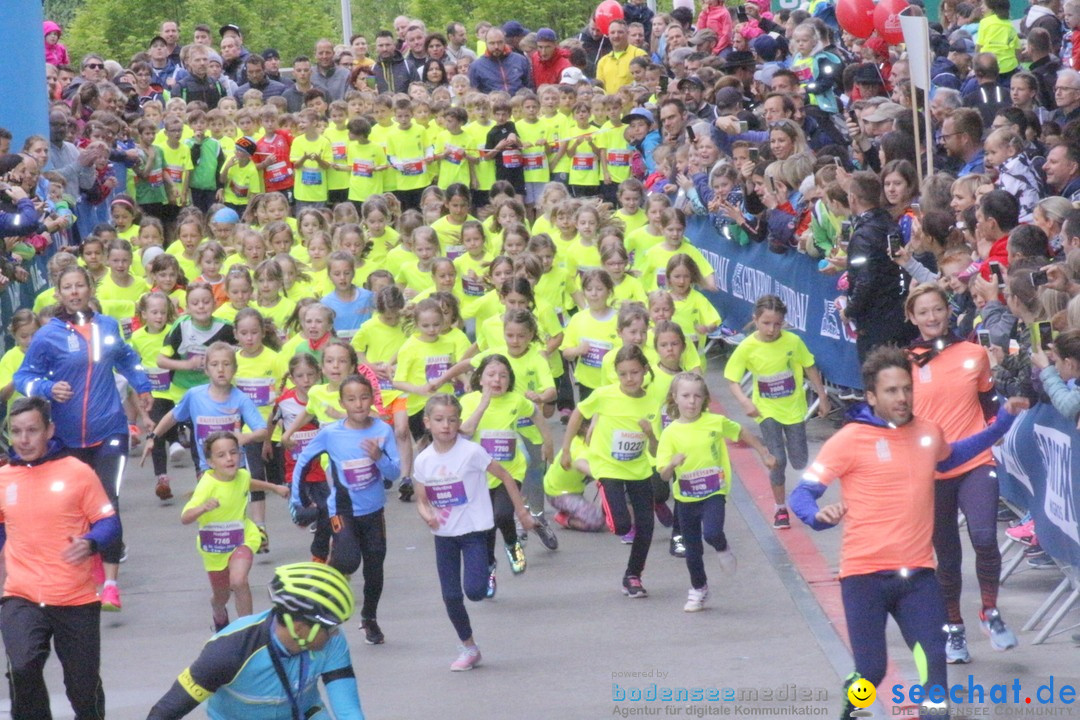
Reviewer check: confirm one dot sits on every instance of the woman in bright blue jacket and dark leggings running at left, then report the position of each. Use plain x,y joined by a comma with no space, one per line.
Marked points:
71,362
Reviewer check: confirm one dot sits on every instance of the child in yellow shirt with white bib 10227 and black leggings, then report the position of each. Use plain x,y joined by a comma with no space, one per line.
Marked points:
620,449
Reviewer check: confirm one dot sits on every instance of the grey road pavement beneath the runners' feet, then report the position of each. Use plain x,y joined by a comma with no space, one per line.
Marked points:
561,641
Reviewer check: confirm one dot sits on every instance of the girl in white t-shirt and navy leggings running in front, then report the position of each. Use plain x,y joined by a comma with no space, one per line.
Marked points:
451,476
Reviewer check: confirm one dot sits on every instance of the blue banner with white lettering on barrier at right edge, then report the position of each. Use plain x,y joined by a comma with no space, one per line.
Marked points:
1041,469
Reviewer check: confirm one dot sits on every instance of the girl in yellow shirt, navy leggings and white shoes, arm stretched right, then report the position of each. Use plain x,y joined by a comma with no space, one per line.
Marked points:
694,457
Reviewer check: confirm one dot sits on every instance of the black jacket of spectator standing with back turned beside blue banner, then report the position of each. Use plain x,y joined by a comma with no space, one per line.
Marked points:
876,286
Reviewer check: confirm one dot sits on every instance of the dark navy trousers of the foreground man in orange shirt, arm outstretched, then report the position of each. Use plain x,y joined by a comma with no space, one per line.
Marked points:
914,602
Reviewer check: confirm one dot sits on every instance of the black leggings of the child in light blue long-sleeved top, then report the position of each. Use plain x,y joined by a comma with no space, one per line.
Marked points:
362,540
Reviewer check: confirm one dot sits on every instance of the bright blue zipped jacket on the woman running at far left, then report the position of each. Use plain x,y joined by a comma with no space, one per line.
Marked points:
59,352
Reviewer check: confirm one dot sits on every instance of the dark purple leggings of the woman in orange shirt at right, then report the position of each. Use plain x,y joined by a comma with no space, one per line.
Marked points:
976,493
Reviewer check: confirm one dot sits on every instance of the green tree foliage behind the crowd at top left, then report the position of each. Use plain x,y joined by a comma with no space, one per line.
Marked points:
290,26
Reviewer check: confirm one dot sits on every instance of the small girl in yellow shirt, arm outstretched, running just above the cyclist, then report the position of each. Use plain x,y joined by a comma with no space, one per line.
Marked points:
226,539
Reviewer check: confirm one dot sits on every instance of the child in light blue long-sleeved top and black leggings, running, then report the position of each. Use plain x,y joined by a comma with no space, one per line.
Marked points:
362,457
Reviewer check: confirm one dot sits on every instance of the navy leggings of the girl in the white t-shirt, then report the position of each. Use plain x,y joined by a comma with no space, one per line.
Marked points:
451,554
